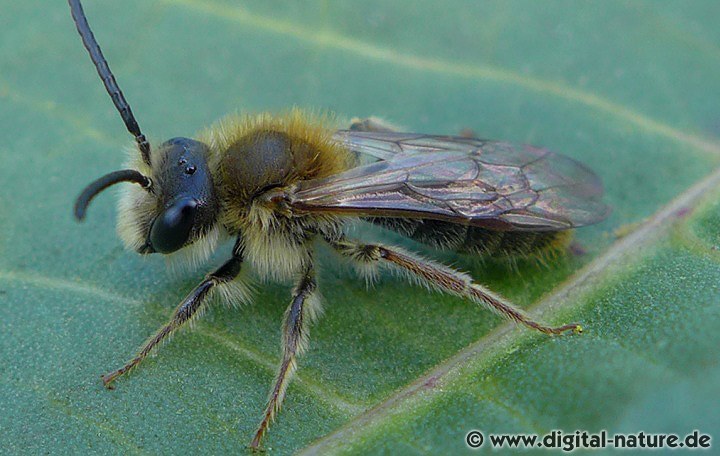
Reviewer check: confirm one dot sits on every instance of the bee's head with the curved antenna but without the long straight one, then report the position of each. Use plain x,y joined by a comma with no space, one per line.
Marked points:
175,204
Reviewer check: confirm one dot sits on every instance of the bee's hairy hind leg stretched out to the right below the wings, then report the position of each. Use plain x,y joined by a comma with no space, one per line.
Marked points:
444,278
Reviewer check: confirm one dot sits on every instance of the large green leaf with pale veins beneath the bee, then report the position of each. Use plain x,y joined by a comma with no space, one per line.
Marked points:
627,88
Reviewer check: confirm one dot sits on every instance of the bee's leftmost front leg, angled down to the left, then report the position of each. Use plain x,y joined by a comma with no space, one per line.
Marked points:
184,312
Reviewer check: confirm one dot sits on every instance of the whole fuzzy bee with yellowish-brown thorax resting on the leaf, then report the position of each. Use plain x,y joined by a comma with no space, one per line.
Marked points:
278,183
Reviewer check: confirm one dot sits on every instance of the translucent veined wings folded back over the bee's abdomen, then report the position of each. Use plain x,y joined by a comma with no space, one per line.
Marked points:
481,183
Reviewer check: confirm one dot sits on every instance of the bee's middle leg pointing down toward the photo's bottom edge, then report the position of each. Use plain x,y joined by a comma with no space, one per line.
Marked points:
299,315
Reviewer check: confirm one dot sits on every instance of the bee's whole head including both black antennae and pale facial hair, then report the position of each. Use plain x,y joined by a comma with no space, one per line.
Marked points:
175,204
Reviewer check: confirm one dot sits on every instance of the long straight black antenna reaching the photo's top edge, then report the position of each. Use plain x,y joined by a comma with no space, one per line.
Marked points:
108,79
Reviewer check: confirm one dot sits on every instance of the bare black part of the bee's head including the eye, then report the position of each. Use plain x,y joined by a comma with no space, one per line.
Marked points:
188,205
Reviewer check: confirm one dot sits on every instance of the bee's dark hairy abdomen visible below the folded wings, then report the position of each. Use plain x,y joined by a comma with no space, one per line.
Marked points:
479,241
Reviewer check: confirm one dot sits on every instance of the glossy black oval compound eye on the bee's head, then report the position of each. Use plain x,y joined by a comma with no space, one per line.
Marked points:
171,229
